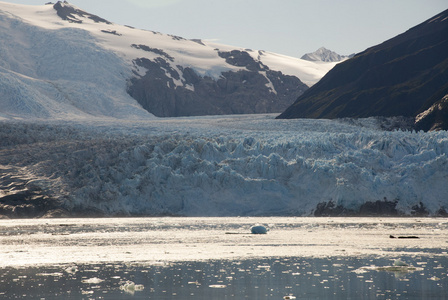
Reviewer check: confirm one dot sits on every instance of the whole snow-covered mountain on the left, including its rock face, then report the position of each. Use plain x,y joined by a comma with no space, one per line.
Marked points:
58,61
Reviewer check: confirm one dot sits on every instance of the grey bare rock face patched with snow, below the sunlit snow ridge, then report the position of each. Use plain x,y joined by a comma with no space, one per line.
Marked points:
253,89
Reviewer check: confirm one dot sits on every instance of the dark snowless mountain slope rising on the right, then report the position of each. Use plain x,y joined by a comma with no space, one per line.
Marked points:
404,76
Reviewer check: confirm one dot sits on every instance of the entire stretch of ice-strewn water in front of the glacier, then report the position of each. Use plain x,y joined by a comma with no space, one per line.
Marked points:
219,258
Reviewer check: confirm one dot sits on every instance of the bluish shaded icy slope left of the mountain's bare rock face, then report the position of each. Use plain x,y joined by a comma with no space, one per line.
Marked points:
58,72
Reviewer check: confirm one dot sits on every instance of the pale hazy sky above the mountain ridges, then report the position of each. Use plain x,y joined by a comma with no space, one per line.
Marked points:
292,27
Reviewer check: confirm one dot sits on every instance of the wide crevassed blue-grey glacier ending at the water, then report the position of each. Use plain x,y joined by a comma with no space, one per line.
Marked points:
240,165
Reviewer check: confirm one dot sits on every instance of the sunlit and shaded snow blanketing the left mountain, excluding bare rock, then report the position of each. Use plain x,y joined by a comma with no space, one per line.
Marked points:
53,68
